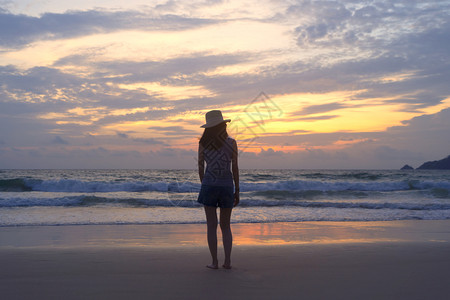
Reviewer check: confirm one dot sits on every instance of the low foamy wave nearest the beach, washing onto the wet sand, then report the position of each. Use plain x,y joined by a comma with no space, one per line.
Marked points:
180,215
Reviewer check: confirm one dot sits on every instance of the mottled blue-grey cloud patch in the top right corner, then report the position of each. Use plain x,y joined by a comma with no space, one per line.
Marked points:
365,25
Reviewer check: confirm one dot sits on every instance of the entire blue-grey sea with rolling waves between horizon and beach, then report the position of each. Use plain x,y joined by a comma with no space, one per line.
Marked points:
91,197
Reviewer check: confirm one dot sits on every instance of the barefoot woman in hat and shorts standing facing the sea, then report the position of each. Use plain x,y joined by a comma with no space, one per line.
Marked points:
220,153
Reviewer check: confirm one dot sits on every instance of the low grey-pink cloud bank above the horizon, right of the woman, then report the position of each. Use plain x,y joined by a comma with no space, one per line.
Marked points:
420,139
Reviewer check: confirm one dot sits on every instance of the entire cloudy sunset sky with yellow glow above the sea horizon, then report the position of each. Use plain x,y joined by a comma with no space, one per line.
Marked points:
307,84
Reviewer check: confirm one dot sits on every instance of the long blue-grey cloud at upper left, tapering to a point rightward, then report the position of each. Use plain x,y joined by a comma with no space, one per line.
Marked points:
19,30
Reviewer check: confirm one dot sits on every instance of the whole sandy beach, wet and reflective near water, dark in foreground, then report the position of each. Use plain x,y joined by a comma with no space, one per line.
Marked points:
310,260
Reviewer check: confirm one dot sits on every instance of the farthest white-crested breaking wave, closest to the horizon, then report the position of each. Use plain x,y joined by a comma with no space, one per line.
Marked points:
79,186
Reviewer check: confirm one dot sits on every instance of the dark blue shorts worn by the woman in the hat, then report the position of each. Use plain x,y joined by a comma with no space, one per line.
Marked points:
216,196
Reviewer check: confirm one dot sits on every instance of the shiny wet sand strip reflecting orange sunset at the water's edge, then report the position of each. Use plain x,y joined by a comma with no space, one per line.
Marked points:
246,234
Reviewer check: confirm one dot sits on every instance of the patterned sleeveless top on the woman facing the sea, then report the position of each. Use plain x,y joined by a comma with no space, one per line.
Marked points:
218,165
